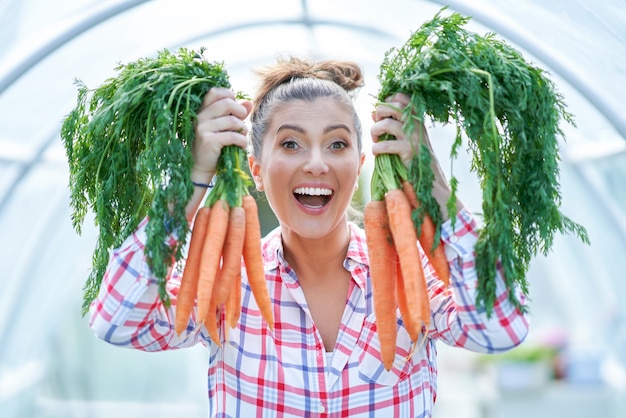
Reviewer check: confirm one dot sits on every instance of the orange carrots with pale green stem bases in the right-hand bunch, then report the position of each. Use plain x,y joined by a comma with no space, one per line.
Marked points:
396,271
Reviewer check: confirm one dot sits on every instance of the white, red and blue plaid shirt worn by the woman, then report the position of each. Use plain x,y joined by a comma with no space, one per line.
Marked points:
288,373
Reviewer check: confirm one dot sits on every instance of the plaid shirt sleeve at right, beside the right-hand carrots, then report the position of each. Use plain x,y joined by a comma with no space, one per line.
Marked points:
455,318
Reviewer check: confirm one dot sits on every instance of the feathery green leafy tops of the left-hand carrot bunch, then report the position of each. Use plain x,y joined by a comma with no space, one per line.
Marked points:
128,145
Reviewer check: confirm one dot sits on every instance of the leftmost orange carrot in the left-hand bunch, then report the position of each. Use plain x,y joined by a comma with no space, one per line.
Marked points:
186,297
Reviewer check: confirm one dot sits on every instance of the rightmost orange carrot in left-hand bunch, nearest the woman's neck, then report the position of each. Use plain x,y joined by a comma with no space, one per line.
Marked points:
253,258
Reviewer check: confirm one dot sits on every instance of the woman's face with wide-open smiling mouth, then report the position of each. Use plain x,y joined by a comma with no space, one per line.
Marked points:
309,165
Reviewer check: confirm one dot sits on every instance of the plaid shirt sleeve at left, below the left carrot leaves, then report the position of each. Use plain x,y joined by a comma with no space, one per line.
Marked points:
128,311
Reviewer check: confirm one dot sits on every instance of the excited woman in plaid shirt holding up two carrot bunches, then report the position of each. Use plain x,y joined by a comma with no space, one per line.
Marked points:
322,357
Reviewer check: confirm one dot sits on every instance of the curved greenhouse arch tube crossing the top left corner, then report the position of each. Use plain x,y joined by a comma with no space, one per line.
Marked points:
96,17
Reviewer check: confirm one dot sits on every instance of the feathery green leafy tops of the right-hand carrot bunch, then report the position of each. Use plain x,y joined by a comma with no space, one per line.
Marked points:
510,112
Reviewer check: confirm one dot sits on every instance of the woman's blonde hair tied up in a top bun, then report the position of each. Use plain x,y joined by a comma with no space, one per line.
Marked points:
298,79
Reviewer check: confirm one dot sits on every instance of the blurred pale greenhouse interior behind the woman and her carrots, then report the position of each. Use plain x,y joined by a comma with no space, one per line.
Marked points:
574,361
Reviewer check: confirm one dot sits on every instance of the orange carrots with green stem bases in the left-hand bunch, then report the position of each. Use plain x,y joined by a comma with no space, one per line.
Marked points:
225,230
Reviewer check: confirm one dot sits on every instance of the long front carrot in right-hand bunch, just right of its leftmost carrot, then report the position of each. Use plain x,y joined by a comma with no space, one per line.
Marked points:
405,239
